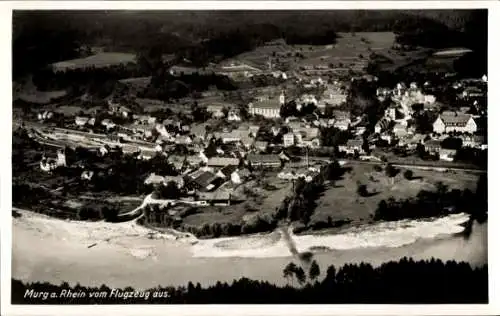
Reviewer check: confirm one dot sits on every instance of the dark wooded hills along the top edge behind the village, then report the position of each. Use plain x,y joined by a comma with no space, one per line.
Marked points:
207,36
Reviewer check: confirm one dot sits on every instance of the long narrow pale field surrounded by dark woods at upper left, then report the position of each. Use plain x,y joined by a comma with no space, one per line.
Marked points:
99,60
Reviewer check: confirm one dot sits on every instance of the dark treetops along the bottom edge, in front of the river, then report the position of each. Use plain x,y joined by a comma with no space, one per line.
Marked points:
404,282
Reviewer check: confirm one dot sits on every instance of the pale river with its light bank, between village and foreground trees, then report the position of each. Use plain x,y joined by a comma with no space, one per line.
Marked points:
127,254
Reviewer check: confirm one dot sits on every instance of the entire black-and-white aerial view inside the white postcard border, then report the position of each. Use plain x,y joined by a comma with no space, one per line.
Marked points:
249,157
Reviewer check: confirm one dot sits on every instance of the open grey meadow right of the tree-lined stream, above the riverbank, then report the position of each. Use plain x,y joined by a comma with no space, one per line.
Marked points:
341,202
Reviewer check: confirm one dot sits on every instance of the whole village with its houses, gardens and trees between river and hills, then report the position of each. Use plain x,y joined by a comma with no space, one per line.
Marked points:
217,151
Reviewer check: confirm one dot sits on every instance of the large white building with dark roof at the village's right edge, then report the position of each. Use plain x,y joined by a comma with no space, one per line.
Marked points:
454,122
